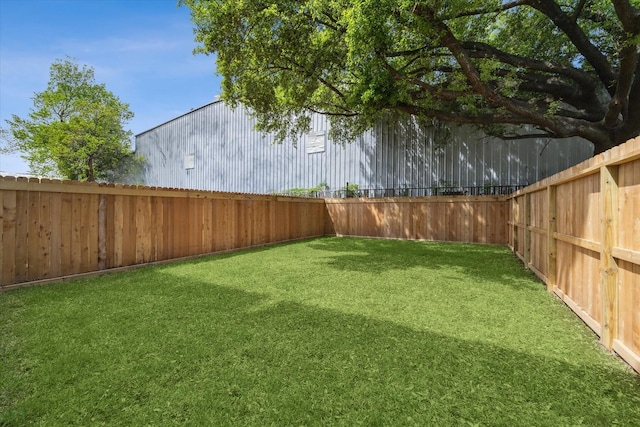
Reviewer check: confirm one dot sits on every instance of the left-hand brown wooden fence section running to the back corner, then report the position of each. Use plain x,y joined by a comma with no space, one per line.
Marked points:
52,229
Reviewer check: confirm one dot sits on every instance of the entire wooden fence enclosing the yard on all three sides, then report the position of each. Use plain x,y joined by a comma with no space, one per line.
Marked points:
578,230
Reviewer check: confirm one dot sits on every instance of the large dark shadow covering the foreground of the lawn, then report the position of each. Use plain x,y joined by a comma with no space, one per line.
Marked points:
202,354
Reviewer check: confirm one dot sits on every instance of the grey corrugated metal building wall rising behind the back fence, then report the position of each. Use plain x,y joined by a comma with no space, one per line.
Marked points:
216,148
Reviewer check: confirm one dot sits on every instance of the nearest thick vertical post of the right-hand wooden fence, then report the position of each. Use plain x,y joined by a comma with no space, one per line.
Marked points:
608,265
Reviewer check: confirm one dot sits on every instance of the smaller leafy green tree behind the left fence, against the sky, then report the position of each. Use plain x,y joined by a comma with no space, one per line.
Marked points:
75,128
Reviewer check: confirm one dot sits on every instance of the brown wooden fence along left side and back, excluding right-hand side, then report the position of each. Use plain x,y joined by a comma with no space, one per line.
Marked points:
56,229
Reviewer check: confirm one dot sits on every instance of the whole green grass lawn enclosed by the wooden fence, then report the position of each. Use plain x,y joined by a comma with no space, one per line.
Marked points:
332,331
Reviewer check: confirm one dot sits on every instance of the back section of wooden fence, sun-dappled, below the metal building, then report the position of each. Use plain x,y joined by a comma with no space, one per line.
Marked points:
479,219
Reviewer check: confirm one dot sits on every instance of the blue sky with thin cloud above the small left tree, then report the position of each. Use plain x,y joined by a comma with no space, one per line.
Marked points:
142,50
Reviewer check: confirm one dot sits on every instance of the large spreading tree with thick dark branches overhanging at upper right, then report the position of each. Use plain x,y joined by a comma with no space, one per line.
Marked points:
562,68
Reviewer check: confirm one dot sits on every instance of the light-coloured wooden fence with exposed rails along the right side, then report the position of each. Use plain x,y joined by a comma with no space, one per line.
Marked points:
579,231
